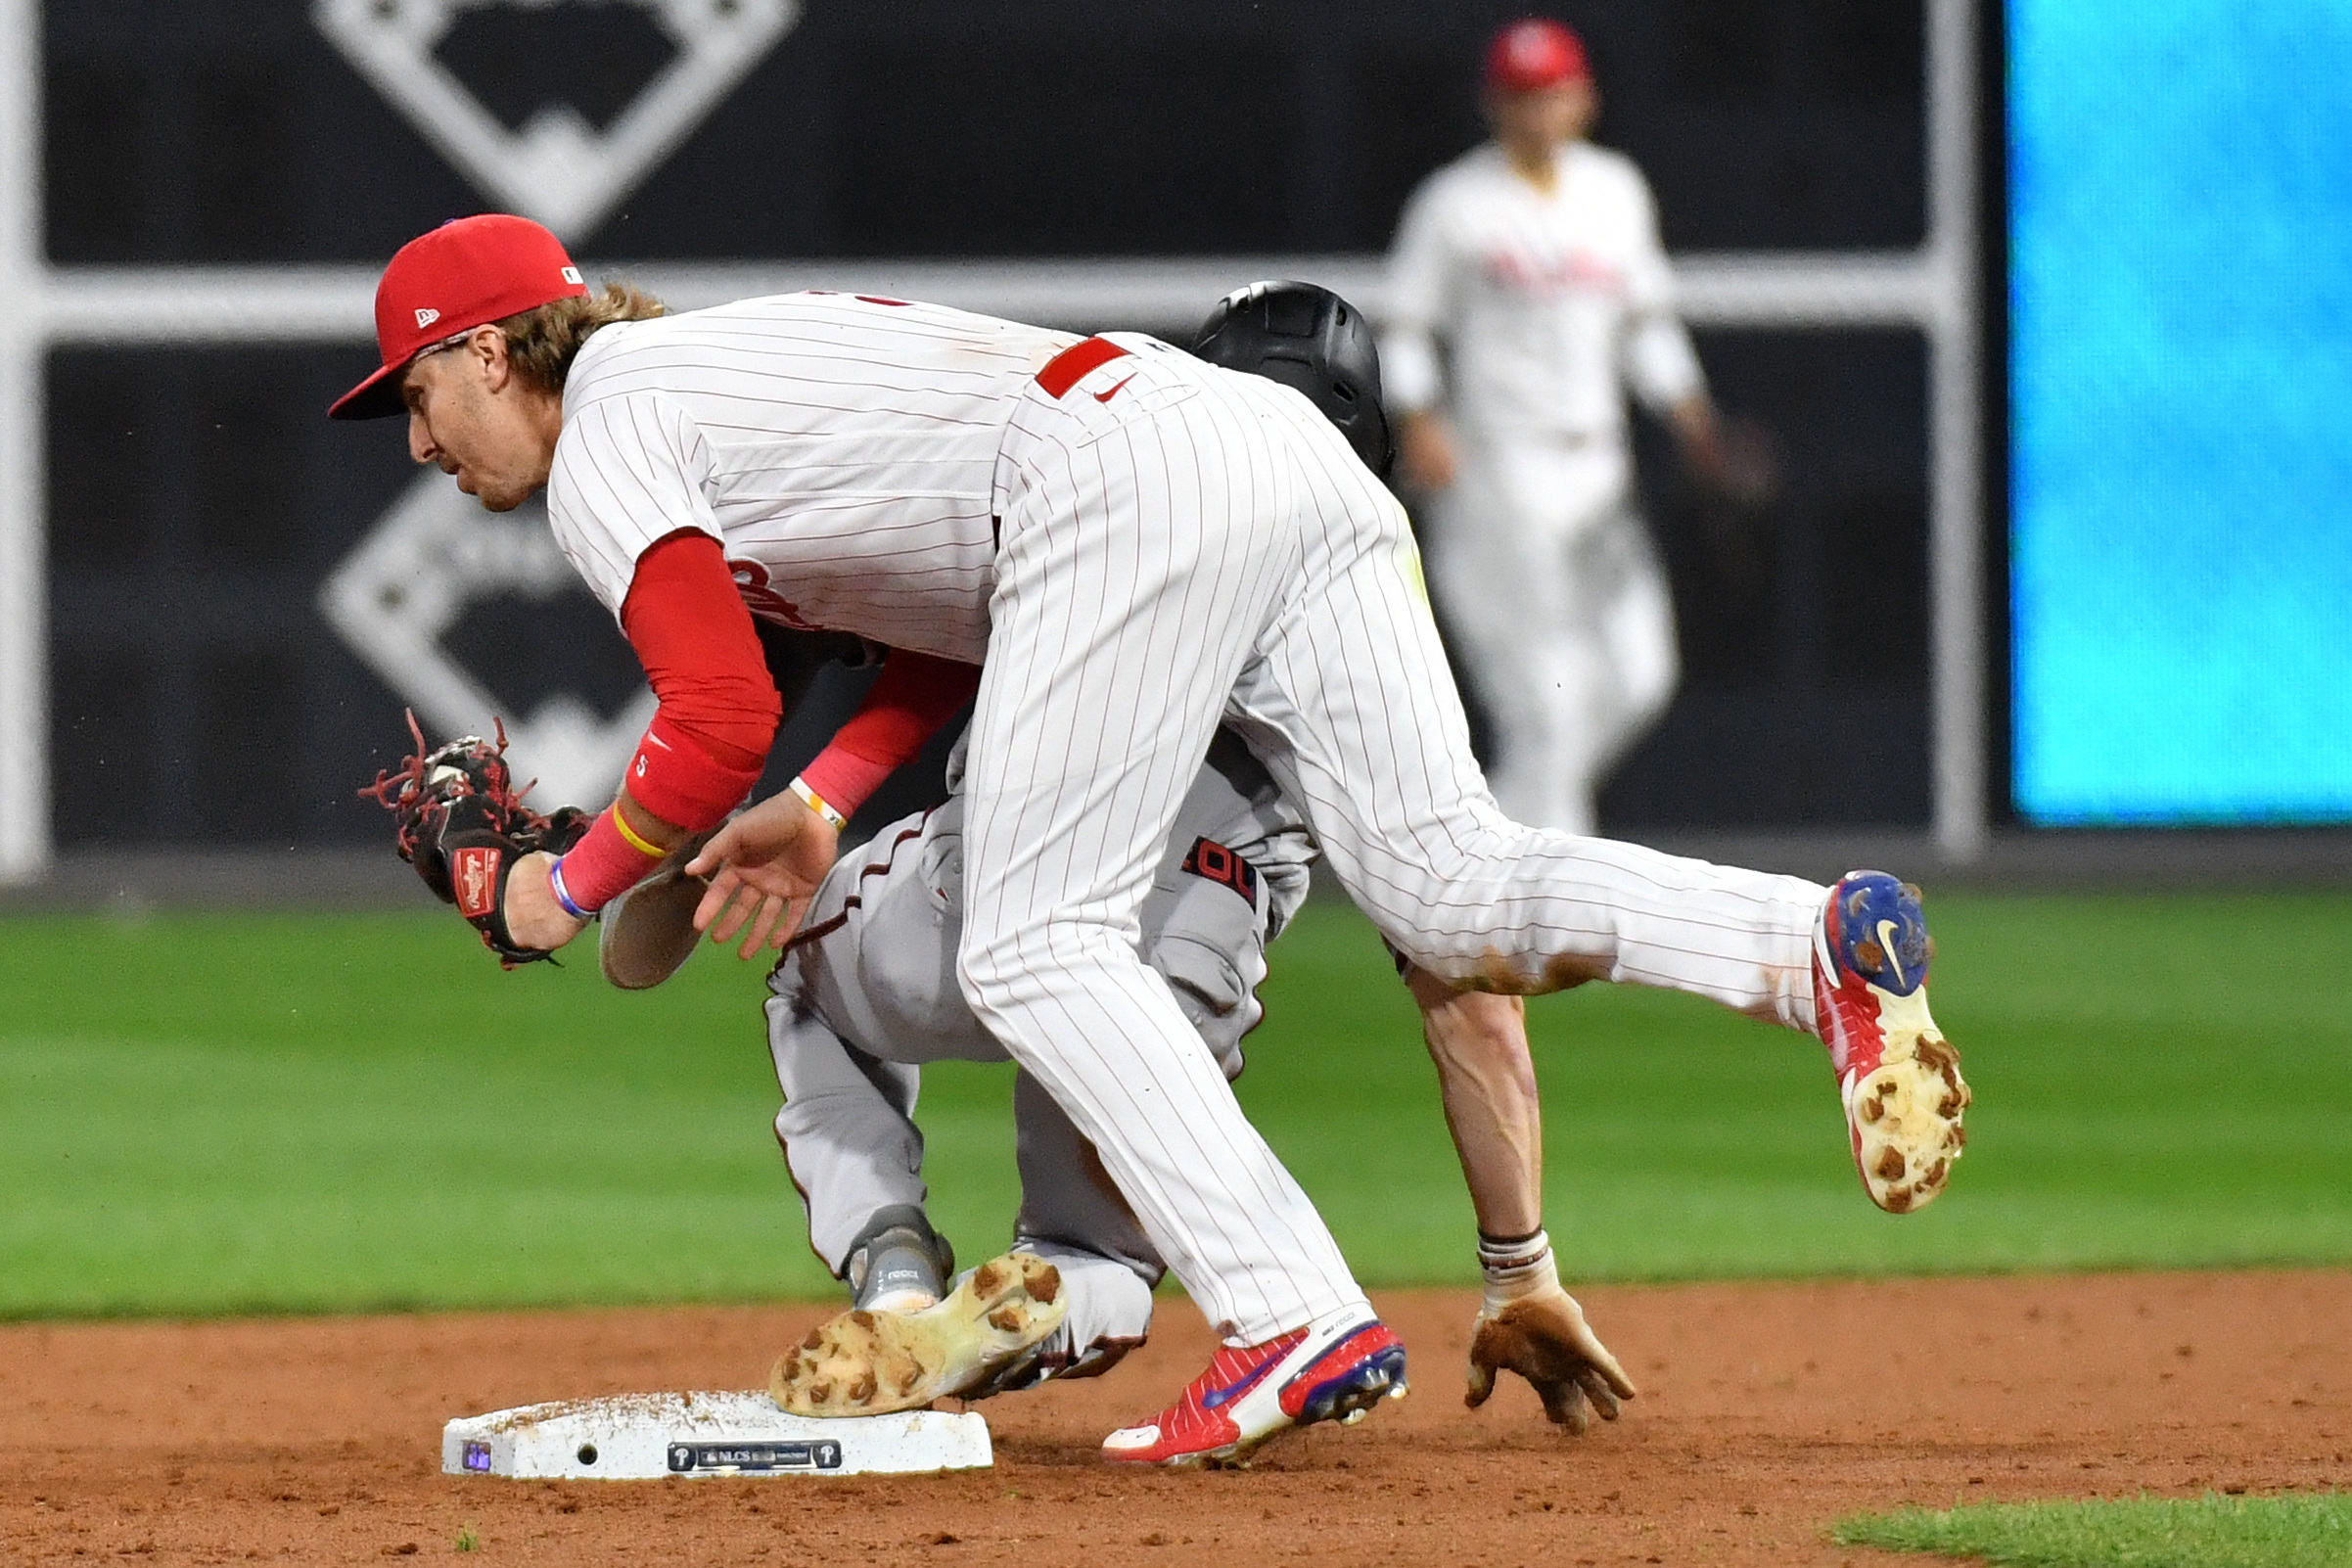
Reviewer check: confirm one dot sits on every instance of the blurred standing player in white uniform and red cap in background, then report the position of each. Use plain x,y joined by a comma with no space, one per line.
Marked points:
1532,272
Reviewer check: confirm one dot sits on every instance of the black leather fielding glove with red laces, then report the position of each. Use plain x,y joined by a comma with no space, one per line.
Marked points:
462,824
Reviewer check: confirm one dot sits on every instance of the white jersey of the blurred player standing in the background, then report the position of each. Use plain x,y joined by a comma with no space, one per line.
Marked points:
1542,300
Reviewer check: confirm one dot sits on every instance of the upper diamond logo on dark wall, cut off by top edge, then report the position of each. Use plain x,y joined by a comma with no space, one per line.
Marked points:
556,168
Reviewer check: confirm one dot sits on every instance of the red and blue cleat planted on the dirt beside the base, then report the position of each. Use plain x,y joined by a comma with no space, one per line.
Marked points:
1259,1393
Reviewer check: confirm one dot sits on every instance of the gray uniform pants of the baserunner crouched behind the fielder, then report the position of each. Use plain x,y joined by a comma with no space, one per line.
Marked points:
867,993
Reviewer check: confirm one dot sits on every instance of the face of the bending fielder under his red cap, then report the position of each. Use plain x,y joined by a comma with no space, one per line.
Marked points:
474,420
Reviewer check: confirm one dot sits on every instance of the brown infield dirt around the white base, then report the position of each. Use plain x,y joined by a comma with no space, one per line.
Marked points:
1765,1414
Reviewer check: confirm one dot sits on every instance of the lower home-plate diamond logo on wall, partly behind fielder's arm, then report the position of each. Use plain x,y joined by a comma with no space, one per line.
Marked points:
410,582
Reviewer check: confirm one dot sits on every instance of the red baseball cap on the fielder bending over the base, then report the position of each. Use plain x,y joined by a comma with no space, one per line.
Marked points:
462,276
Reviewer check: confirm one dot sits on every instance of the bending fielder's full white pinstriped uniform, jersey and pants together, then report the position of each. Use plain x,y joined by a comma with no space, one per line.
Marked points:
1175,544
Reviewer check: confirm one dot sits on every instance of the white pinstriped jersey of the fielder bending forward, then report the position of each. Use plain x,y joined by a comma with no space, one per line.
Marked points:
841,448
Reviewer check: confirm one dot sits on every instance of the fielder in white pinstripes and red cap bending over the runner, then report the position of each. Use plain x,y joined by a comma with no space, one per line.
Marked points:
1142,549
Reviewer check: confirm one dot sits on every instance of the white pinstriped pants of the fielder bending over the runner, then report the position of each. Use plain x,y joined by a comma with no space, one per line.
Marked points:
1184,544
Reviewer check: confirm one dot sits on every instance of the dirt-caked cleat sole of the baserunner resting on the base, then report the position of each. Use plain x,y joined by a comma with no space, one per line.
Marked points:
881,1362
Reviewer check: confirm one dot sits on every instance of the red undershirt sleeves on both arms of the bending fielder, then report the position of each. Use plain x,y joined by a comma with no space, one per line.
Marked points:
719,713
